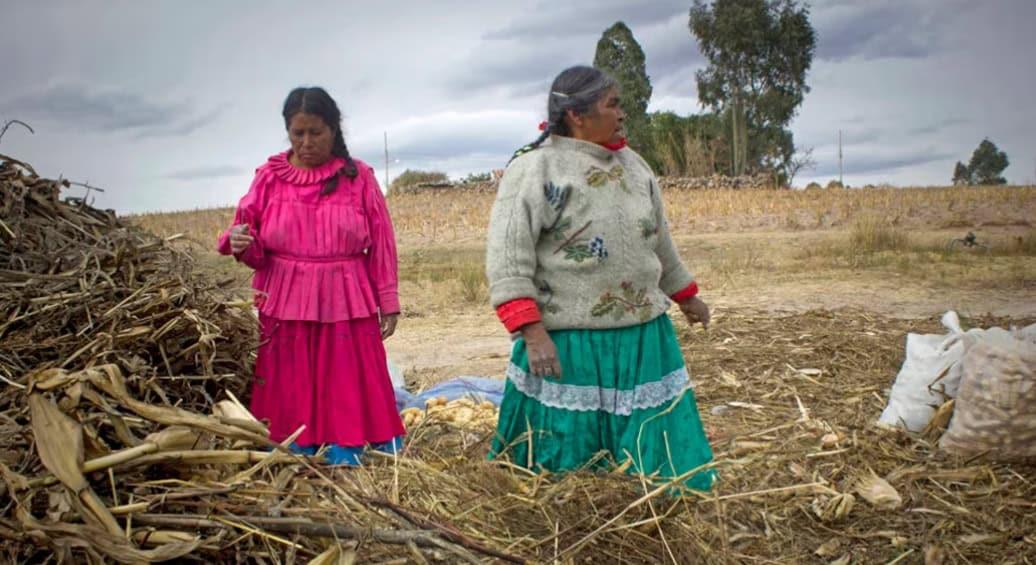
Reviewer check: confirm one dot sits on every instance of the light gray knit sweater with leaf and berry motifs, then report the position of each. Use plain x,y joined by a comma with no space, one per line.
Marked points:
582,230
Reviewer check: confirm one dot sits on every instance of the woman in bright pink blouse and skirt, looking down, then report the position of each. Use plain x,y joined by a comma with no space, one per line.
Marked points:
315,229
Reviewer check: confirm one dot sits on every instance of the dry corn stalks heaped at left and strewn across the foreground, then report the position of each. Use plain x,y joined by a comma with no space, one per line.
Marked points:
123,440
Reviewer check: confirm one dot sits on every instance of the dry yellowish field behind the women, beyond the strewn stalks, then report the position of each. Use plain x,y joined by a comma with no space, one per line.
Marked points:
881,250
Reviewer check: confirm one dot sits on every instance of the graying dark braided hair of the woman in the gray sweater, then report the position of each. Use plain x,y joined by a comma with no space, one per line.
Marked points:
577,89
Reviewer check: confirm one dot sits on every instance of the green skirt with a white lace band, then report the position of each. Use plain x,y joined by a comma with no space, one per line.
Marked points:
624,393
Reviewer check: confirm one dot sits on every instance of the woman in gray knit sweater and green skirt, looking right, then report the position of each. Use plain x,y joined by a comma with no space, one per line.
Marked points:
583,270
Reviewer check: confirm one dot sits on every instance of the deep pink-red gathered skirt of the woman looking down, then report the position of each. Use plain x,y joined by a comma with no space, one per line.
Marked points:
332,378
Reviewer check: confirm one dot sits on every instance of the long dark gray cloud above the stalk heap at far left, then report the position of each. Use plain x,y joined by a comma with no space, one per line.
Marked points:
107,110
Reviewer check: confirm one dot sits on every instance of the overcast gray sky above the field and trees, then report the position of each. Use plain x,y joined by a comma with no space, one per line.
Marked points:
171,105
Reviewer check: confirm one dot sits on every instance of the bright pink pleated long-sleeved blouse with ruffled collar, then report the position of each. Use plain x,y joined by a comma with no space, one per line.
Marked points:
319,259
